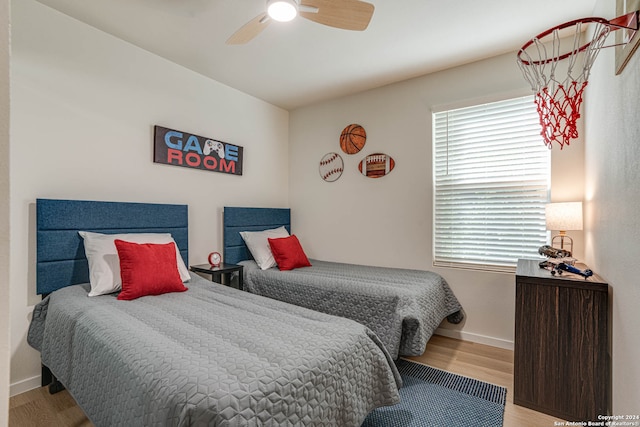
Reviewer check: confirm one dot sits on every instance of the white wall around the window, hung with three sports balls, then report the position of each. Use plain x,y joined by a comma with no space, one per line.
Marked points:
388,221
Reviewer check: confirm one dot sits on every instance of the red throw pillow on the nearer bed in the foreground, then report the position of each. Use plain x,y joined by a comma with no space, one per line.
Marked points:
148,269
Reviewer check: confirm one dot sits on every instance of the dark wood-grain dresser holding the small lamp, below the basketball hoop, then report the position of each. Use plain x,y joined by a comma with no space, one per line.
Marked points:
562,358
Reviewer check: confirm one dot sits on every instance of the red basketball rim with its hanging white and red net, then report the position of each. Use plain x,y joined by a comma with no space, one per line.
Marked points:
557,66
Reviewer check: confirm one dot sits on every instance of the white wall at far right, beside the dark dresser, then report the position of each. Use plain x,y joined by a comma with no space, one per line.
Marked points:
613,205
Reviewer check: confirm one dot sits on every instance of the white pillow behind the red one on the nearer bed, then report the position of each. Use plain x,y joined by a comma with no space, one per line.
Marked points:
104,264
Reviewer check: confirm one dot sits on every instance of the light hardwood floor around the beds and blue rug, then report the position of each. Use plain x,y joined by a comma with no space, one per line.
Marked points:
494,365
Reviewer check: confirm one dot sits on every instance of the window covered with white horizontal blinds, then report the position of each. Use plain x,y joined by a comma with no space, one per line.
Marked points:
492,179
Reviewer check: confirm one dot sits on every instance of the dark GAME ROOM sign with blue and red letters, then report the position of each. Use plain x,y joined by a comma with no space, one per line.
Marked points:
173,147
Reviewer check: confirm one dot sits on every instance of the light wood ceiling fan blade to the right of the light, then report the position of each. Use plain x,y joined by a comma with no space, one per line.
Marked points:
346,14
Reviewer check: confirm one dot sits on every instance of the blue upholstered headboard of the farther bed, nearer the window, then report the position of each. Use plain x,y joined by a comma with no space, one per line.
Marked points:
237,219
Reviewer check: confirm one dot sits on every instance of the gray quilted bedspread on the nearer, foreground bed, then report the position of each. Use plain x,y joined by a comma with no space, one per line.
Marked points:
211,356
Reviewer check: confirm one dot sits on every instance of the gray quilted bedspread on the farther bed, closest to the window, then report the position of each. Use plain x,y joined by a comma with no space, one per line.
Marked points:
403,307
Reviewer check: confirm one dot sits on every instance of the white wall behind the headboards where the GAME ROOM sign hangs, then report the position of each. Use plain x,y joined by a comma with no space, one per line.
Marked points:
83,109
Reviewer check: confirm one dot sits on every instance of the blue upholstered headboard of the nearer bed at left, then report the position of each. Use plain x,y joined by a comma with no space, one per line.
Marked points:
60,258
